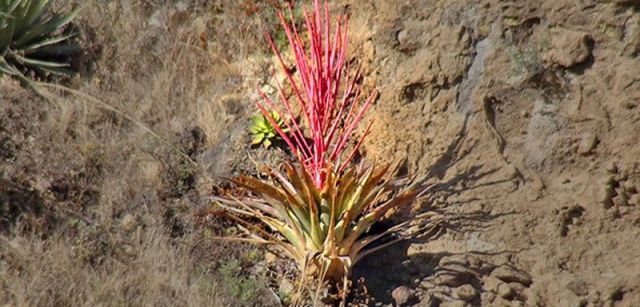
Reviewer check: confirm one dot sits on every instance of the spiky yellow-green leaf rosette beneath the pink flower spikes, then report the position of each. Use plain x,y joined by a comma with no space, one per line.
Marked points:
324,230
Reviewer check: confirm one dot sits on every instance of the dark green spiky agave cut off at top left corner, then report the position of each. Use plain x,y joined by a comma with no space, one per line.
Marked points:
32,40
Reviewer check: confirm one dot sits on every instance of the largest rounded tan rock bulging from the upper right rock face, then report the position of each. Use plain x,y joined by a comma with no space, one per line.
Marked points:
569,47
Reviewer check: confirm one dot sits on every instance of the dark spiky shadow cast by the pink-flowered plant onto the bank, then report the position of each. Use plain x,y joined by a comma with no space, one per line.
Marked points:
395,266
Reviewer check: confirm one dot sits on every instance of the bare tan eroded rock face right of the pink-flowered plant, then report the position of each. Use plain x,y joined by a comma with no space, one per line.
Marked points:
515,109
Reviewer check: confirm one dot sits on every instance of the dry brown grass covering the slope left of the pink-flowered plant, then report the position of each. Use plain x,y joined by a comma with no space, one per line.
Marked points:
101,212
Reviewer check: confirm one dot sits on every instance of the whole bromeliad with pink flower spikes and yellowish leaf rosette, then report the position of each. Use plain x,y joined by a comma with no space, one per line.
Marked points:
323,209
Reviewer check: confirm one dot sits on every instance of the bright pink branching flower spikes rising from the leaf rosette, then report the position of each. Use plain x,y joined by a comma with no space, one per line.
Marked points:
330,118
